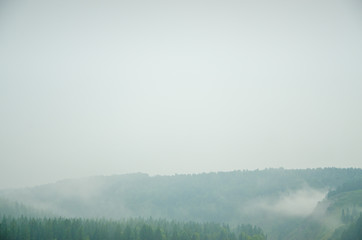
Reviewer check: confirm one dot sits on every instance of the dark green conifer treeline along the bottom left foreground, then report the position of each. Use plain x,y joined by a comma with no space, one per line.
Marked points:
25,228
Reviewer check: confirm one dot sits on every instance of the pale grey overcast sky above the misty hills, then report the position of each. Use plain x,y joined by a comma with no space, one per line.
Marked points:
172,87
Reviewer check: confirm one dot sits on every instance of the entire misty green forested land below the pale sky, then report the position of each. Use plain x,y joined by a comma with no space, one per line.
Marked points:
320,204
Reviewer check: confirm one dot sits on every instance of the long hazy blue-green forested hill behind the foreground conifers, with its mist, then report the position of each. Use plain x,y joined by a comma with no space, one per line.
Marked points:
268,198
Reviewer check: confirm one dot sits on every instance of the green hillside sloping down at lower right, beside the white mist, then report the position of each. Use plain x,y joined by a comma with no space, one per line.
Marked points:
332,216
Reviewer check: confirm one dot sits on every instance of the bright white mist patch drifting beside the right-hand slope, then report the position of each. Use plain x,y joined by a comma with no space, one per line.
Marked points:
298,203
